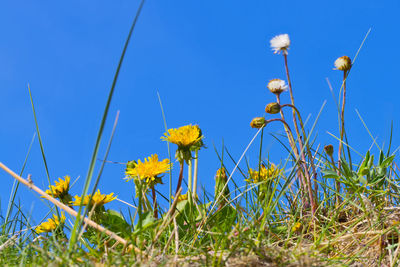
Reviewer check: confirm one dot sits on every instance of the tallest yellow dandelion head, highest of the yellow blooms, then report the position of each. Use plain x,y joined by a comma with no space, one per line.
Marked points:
184,137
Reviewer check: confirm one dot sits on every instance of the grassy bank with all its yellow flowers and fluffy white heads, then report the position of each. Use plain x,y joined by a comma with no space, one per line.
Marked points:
309,209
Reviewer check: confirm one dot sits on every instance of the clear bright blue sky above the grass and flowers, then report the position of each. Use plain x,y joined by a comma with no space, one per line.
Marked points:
209,60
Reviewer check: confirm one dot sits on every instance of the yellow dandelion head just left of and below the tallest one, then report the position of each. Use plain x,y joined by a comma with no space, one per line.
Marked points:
149,170
